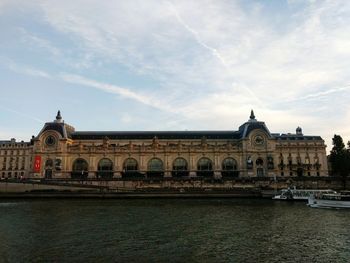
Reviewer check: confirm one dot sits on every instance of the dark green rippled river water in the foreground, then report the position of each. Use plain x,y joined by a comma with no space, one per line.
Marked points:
171,230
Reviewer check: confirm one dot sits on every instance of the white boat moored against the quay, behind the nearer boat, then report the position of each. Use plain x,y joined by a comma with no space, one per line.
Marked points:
300,194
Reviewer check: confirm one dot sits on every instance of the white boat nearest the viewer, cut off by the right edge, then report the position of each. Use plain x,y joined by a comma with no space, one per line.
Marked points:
338,200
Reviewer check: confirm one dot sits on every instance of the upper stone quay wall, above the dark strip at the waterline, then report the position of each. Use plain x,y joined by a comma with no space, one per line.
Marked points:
204,185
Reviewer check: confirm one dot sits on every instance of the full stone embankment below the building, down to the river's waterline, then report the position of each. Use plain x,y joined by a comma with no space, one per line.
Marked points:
166,188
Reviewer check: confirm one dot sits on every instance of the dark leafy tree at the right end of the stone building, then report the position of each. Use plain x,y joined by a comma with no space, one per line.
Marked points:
340,158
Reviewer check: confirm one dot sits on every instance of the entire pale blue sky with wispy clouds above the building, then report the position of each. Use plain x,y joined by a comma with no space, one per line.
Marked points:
175,65
